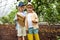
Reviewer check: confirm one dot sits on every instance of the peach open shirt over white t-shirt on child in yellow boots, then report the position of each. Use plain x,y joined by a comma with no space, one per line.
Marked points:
29,20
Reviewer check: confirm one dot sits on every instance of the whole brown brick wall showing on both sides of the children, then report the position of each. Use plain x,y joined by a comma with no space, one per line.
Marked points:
8,32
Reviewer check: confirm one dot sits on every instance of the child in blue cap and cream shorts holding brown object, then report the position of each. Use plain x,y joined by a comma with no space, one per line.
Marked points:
20,16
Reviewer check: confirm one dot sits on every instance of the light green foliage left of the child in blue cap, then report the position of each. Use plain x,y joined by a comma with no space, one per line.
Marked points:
9,18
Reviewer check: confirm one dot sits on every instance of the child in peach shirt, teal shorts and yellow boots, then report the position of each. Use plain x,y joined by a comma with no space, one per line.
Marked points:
31,23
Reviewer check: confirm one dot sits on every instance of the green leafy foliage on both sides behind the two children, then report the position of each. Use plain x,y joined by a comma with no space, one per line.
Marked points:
47,10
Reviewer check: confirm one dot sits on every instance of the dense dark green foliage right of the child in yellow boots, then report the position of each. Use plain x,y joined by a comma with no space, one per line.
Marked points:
48,9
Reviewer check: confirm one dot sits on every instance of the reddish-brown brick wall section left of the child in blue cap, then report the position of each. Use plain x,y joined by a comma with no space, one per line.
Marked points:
7,32
